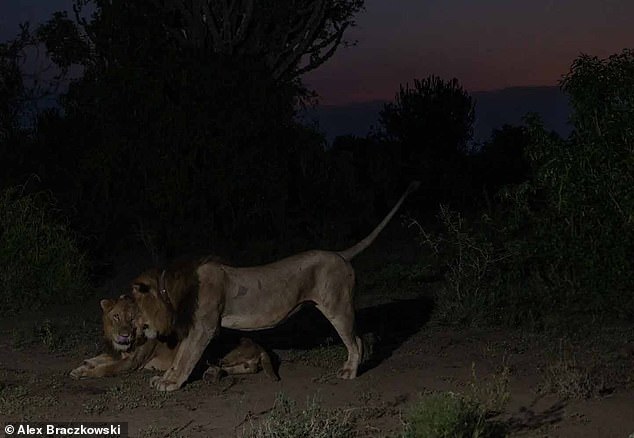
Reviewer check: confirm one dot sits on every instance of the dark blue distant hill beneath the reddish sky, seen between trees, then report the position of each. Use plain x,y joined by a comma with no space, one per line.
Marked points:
493,109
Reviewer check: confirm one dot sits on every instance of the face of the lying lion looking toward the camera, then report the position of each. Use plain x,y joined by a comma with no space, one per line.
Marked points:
122,324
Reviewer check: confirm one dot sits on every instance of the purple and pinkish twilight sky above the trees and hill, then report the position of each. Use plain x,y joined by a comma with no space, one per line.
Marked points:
486,44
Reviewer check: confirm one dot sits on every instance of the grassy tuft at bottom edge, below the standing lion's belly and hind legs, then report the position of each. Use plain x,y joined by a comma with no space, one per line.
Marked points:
286,420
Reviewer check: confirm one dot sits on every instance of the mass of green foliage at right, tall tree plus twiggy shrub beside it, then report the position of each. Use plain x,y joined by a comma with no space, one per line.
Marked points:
558,247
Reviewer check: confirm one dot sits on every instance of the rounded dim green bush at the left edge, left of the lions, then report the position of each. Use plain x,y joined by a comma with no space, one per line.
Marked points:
40,263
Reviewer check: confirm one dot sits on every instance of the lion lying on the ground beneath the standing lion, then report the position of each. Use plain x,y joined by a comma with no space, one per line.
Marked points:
128,348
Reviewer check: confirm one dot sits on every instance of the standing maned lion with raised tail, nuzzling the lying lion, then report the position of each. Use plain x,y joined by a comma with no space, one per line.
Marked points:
193,300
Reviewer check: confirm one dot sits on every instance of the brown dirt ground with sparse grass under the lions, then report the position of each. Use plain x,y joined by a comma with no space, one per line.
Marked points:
573,386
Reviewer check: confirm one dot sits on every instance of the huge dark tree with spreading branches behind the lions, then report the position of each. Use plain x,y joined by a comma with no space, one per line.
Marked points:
182,122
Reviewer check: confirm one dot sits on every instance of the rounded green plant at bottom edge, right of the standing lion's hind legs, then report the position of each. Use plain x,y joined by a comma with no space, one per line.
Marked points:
449,415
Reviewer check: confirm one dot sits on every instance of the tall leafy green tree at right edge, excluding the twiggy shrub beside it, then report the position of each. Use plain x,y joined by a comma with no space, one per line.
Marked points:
572,222
